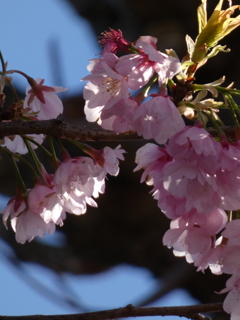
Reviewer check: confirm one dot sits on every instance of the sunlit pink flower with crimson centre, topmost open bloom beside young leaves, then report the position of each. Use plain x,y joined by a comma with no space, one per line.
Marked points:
139,68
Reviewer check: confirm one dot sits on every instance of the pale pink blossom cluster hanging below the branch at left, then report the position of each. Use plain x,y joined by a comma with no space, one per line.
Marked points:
70,189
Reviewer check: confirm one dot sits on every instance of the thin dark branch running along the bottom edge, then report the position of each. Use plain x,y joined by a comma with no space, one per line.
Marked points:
191,312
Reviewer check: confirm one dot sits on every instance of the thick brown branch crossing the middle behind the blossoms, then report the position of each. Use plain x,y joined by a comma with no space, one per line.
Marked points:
60,129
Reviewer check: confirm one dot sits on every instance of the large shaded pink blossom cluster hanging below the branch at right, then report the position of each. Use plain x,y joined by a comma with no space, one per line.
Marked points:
196,181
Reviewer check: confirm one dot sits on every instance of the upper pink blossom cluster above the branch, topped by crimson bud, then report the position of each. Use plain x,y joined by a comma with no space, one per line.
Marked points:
112,80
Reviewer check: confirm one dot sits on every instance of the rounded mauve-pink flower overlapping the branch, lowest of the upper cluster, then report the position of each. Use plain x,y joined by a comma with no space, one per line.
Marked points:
158,118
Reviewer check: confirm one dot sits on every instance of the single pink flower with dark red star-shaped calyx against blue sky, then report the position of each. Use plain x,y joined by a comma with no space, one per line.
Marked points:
43,100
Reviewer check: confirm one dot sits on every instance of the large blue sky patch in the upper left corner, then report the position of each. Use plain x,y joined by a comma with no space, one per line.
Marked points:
31,30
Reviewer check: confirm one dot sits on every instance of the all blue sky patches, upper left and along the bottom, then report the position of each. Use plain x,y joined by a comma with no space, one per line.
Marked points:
30,30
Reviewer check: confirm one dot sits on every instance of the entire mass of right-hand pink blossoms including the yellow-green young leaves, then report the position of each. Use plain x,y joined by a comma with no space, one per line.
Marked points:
195,178
